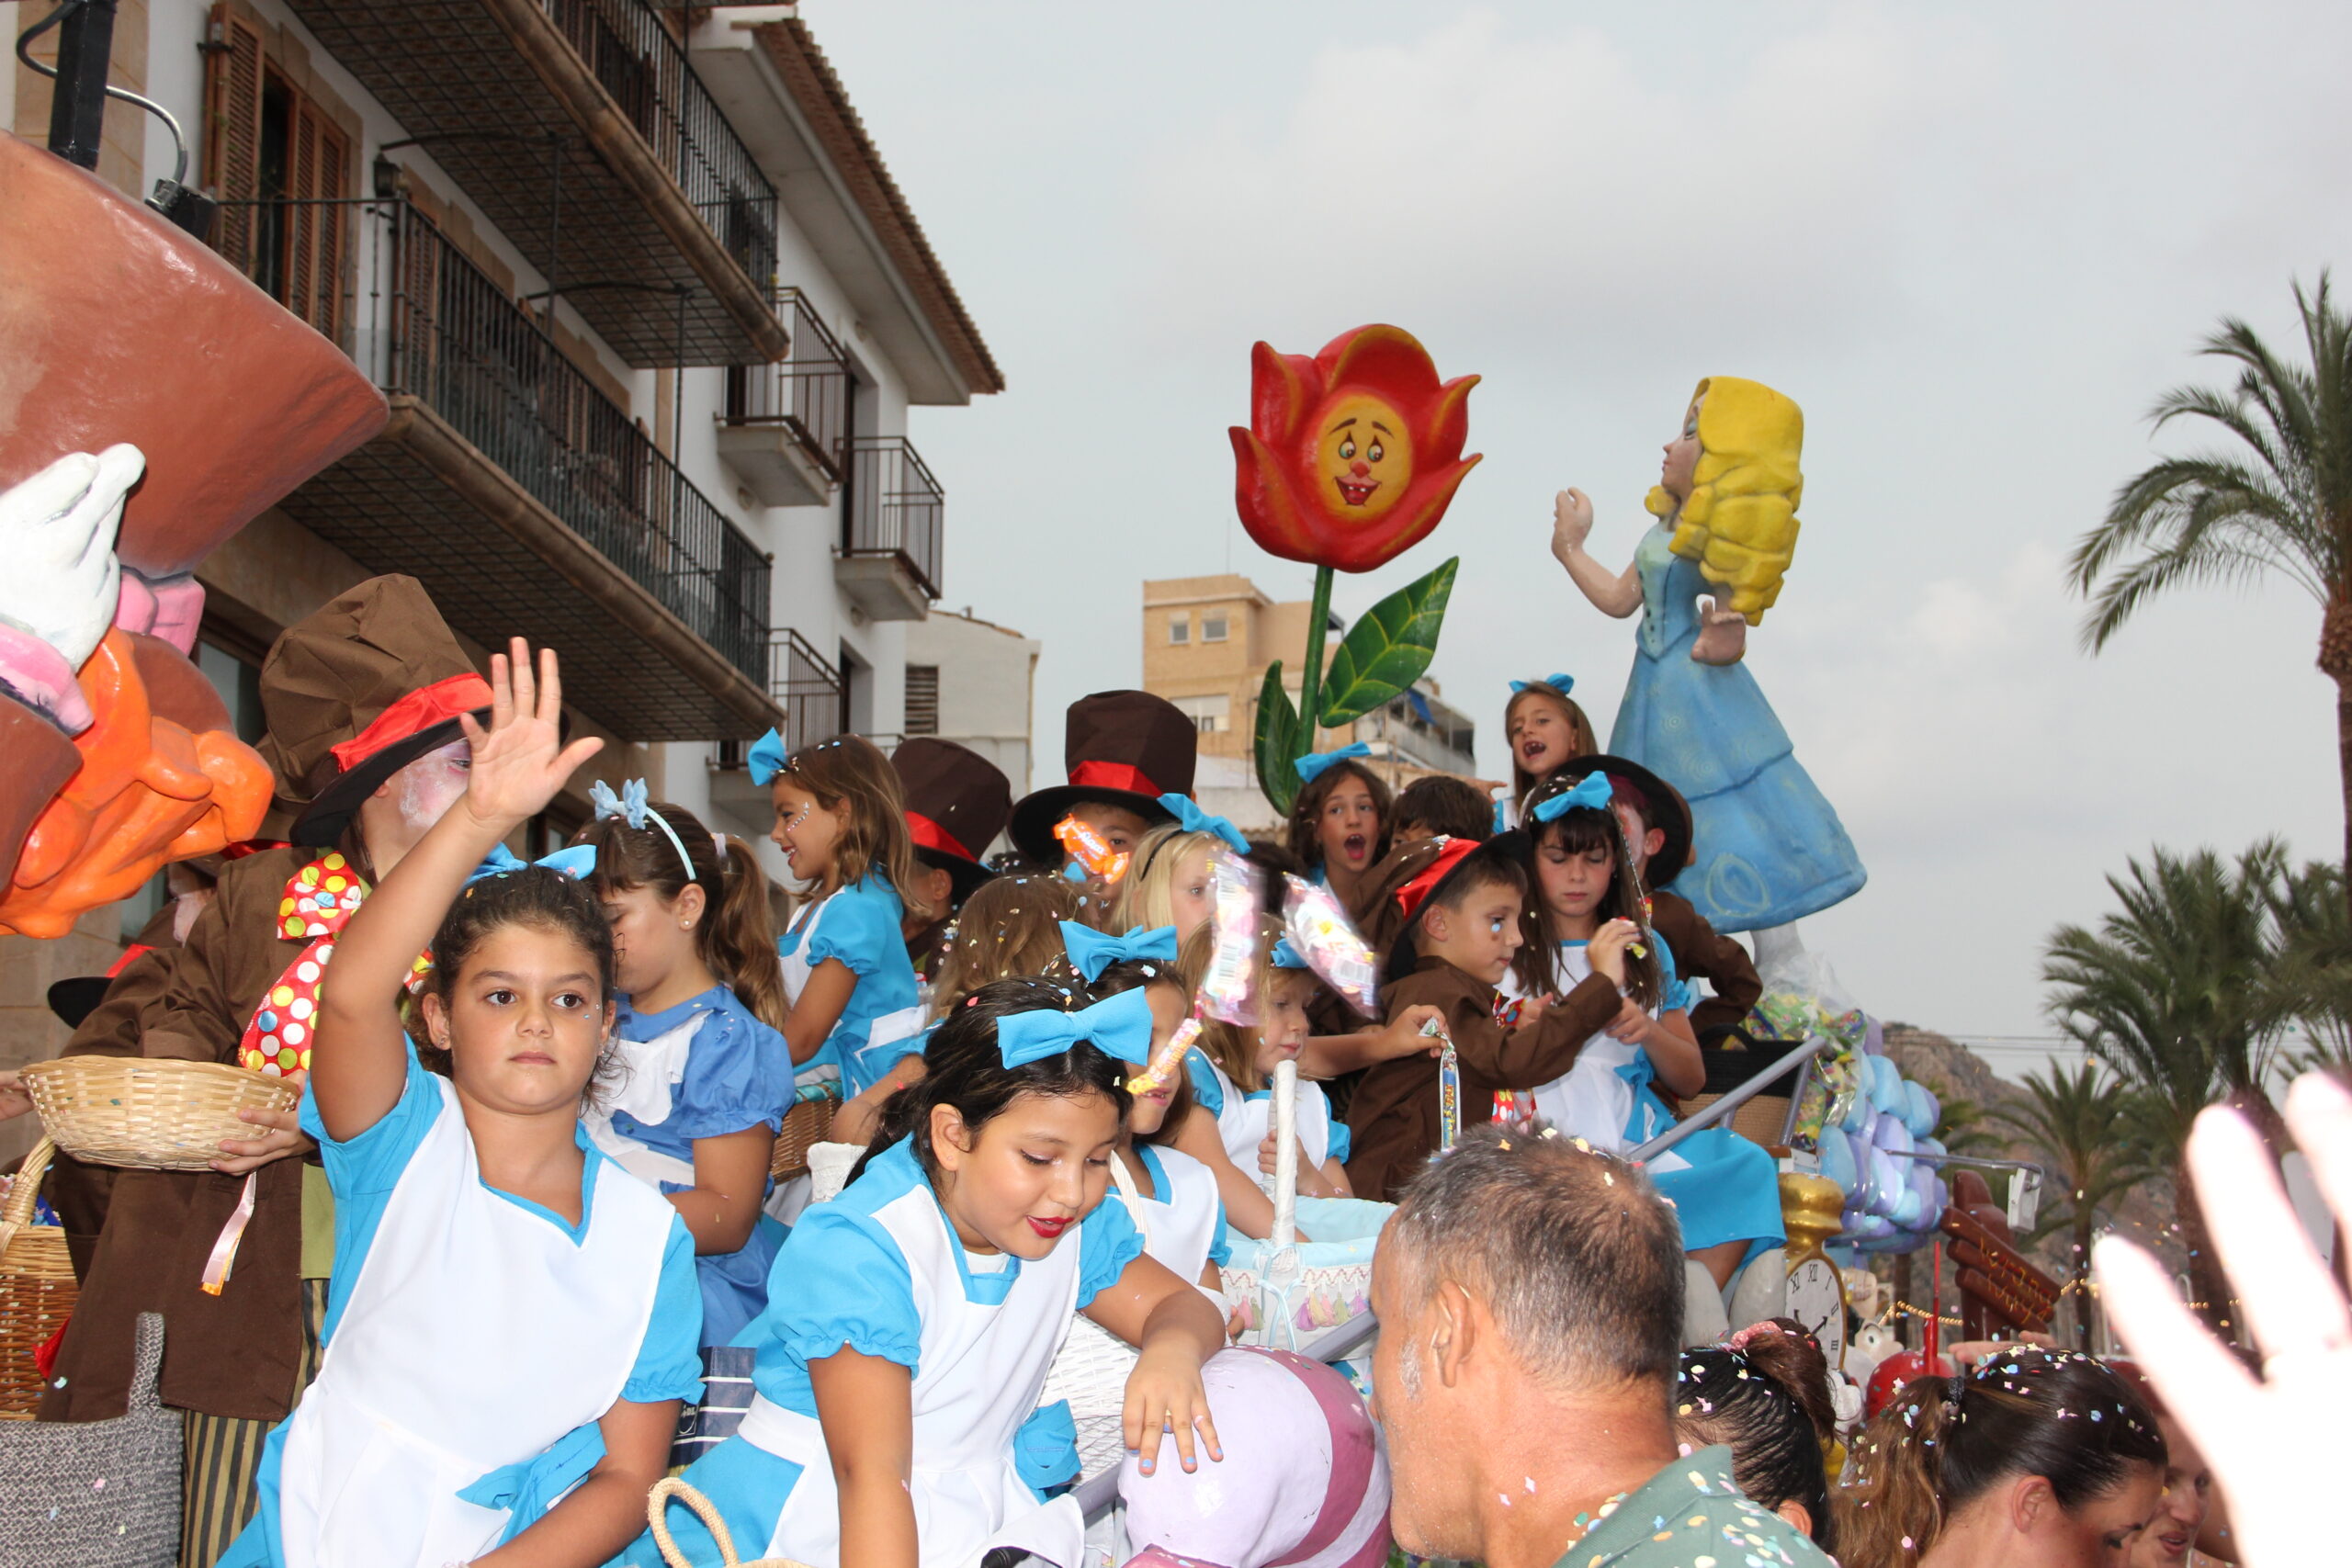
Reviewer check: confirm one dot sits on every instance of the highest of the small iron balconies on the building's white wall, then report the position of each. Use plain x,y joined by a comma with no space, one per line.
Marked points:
787,427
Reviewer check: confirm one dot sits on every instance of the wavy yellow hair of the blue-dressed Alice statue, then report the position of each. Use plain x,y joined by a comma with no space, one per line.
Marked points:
1742,518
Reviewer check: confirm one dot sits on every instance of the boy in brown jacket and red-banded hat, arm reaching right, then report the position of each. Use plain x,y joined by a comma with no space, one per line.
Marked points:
1450,916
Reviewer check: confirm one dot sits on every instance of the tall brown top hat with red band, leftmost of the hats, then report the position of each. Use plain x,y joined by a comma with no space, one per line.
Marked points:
356,692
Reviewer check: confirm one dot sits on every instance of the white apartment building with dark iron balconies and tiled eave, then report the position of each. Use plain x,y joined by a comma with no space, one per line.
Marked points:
650,314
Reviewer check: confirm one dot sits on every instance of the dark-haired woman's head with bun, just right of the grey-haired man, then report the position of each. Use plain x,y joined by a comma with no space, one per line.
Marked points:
1765,1393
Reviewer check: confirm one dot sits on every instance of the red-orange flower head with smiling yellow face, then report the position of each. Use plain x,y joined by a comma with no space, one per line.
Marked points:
1354,455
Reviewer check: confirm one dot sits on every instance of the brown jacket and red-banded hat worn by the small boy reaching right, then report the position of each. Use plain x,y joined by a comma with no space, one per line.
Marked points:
1394,1115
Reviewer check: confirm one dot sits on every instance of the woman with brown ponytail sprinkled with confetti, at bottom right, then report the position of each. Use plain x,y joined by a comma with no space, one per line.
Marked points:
2029,1461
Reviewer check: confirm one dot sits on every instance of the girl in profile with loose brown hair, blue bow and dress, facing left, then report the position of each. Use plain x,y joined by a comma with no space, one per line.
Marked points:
841,824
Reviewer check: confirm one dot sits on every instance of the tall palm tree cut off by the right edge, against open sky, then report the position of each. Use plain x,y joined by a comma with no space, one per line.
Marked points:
2280,504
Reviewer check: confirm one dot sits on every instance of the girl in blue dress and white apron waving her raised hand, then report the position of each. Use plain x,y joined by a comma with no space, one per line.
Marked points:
514,1320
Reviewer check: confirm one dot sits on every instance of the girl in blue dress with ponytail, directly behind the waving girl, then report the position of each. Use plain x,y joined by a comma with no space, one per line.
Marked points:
707,1071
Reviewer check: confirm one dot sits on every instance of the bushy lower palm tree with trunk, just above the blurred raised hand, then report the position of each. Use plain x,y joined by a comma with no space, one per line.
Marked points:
2179,993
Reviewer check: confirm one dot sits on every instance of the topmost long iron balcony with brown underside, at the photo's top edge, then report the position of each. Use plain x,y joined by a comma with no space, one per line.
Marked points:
587,138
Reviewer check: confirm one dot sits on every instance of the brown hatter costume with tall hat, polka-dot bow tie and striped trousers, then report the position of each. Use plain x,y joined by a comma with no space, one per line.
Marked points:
354,695
